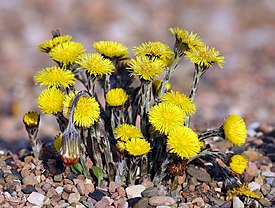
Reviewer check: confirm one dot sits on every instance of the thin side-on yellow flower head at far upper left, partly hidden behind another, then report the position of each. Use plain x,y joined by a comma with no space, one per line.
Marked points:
47,46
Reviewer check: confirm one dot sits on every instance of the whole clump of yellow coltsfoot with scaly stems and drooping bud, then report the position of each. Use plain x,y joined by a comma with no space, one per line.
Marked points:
123,114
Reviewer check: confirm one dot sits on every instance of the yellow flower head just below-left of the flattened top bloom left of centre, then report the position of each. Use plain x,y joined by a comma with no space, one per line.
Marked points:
95,64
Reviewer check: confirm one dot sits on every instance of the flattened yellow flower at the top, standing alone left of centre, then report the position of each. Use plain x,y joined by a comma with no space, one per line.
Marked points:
111,49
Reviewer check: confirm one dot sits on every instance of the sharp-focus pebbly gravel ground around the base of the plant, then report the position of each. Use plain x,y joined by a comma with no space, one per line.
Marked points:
28,182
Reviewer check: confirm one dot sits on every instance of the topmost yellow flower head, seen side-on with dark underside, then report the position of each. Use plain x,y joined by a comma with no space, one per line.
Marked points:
185,40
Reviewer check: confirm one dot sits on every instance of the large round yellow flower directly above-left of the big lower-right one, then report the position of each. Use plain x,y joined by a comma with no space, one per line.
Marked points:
165,117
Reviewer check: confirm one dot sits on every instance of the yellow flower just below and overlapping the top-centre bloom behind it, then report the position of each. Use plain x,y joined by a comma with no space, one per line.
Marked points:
146,68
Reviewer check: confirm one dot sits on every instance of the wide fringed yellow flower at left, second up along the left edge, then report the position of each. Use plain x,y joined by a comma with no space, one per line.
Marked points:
55,77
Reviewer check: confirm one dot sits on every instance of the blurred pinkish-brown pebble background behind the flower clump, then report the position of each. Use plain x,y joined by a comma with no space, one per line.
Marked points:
243,31
